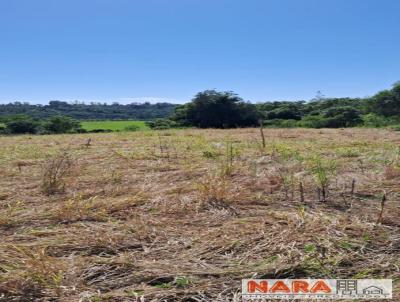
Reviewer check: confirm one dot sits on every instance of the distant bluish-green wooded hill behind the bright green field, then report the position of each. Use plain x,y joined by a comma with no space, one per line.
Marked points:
92,111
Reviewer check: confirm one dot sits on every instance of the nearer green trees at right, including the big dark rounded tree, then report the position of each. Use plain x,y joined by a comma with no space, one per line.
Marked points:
213,109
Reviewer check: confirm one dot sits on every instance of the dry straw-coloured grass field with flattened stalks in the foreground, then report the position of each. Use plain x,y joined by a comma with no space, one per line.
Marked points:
184,215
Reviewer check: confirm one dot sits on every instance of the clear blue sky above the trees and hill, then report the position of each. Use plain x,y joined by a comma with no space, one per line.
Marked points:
121,50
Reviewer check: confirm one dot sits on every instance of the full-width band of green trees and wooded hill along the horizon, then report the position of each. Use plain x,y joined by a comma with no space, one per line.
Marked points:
211,109
